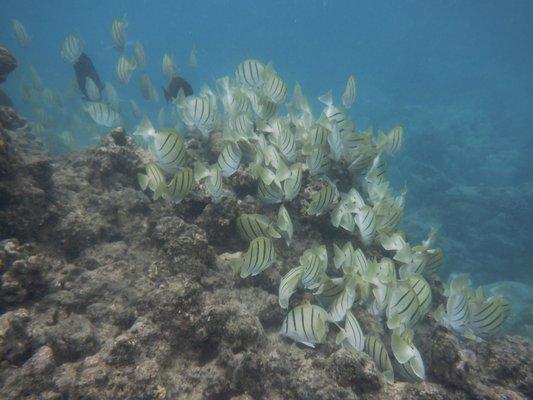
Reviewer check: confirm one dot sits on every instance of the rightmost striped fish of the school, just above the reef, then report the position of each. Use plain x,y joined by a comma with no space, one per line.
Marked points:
488,316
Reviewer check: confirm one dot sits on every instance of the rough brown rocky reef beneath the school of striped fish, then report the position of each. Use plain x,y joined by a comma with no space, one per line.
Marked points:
106,294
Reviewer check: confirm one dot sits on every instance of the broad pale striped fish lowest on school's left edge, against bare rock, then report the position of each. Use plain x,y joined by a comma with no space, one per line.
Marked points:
306,324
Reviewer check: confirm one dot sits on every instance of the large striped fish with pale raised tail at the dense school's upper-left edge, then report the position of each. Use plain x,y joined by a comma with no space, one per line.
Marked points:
168,146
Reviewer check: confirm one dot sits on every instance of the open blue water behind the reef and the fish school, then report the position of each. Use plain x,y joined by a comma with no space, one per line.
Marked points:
456,75
